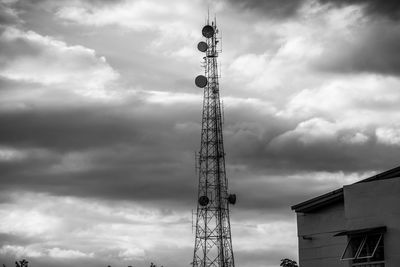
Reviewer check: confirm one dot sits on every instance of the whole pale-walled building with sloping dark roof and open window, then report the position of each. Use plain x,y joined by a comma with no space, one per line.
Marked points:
357,225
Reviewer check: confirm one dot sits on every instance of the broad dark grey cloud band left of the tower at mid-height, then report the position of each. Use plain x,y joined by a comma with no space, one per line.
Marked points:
127,155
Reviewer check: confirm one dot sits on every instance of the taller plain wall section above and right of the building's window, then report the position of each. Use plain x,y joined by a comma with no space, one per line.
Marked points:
374,204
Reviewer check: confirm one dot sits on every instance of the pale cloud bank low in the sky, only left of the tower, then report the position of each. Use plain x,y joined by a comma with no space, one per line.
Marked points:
123,234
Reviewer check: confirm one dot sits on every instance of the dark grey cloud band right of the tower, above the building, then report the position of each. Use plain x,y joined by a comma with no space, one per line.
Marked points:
255,140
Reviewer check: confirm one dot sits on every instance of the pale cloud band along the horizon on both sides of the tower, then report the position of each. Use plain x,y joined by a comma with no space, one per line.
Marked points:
111,232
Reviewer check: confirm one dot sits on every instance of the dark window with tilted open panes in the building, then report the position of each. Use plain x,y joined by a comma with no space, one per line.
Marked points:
365,250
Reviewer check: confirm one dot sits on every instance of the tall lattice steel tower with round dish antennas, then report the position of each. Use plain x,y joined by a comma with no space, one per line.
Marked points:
213,242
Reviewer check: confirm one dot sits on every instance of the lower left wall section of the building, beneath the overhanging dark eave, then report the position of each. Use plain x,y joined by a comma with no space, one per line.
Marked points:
323,249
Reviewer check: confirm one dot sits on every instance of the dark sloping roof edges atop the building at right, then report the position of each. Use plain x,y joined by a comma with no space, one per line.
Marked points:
337,195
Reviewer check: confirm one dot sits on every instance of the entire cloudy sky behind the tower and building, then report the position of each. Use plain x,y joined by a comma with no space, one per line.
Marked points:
100,121
